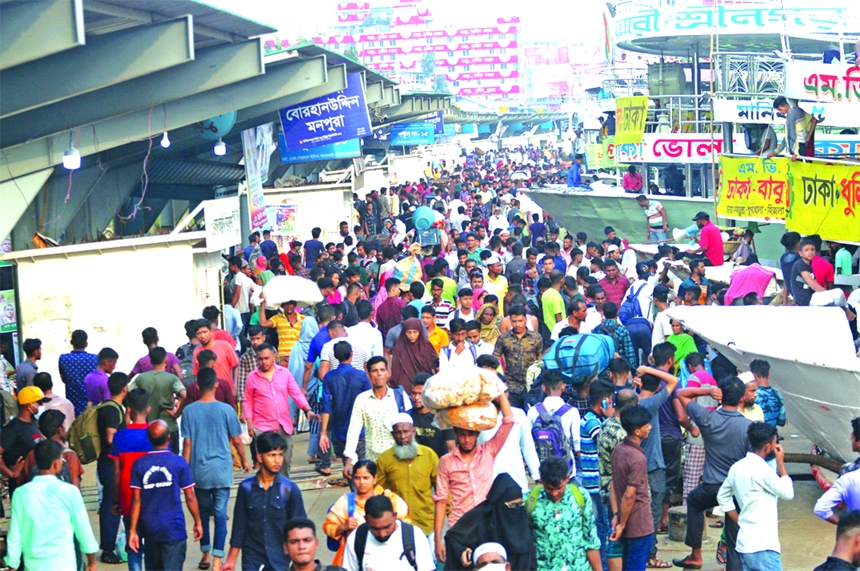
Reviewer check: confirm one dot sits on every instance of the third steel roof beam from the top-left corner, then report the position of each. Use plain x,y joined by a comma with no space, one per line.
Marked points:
211,68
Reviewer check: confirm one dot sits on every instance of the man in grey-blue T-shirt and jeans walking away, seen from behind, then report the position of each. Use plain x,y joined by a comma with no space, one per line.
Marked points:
208,429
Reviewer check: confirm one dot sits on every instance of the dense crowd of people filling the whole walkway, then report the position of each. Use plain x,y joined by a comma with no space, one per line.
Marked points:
579,473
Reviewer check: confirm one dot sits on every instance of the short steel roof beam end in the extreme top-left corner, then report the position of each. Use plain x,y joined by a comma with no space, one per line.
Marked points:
34,30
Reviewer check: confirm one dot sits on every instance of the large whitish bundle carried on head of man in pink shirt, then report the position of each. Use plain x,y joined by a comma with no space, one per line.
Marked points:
461,386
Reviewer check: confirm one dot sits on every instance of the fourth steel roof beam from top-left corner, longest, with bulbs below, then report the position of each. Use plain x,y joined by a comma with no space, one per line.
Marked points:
287,78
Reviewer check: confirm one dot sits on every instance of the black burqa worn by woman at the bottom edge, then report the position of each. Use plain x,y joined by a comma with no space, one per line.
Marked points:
492,520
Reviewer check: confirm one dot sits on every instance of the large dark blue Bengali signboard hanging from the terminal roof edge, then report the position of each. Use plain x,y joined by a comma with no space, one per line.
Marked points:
332,118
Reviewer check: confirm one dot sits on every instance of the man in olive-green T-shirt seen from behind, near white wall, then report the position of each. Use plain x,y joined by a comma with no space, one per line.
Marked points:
162,387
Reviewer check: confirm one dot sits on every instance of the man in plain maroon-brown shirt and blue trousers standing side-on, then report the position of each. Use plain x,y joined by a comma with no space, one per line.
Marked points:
629,492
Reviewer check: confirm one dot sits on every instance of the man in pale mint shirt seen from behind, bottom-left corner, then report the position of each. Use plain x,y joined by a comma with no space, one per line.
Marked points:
47,514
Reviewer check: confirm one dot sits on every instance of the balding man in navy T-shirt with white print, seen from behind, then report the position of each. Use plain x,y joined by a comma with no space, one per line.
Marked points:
158,480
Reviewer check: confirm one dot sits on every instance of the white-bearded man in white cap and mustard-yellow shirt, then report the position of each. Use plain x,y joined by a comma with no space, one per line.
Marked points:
409,470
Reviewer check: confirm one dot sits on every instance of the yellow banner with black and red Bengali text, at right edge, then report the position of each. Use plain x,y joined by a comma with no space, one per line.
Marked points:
824,200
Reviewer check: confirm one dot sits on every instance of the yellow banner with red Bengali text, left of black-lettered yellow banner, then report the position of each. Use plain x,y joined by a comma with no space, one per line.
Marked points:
753,188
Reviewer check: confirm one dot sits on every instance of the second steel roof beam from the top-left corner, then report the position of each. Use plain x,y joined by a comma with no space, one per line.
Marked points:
104,61
